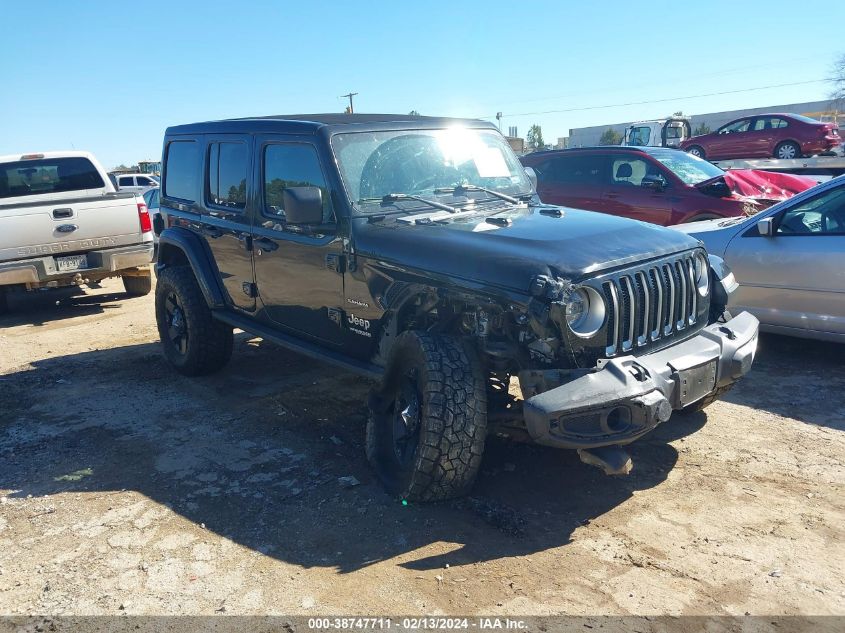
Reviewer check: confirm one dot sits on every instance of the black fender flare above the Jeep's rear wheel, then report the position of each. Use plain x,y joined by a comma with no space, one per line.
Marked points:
177,244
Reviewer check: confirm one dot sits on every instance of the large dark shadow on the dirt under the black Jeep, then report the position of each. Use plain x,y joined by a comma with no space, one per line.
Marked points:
256,453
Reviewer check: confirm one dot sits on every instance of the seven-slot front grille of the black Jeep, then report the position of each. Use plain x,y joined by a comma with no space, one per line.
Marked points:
647,304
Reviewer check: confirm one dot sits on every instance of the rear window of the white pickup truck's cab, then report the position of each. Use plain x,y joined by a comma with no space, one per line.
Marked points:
48,175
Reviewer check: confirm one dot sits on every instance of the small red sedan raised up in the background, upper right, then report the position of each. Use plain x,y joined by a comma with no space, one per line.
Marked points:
764,136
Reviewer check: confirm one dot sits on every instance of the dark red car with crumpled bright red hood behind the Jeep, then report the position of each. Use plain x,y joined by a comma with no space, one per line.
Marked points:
655,184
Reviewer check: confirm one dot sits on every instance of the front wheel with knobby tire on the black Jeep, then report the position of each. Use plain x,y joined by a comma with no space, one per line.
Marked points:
428,420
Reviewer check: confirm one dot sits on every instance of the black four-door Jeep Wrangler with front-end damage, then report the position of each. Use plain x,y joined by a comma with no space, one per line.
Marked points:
415,250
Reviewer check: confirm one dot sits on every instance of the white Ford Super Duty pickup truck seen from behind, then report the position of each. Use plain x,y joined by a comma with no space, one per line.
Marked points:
62,223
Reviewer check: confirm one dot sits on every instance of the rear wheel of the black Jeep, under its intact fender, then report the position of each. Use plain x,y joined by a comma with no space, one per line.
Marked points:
194,342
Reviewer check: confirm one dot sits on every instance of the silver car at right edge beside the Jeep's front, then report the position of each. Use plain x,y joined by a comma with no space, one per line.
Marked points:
789,261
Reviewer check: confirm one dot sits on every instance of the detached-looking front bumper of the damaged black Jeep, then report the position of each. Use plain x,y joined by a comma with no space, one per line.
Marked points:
628,396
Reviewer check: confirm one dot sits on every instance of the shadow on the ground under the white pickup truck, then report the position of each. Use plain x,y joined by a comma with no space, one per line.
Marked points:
42,307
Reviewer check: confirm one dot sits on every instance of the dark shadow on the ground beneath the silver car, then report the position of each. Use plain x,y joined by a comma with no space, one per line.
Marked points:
808,378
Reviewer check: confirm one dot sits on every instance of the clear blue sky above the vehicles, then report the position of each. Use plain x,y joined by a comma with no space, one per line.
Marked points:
111,76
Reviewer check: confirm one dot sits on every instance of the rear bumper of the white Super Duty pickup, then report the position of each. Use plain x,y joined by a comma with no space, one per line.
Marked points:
39,271
